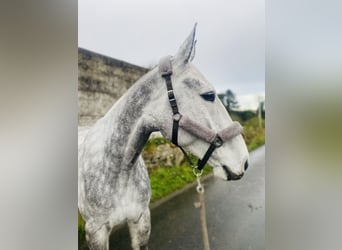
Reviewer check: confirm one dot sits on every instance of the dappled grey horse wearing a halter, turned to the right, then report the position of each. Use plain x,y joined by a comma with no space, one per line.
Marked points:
113,183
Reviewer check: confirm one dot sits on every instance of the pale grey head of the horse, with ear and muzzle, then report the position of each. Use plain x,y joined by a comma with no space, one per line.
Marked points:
197,101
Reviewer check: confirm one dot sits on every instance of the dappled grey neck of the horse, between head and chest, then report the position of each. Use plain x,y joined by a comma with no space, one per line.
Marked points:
130,122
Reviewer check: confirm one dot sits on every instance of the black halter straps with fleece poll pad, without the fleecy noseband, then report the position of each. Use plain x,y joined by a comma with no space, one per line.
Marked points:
165,69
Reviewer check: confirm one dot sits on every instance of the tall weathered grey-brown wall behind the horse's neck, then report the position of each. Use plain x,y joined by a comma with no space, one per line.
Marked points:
101,82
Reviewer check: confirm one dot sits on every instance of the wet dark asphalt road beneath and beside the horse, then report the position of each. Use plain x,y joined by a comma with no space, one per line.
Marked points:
235,215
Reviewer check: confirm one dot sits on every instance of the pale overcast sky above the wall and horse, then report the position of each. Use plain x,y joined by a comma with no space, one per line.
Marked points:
230,36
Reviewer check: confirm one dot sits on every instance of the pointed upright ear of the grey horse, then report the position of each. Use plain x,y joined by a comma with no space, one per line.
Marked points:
186,52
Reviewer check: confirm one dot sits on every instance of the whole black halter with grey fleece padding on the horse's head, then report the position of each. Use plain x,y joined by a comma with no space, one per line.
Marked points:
216,139
